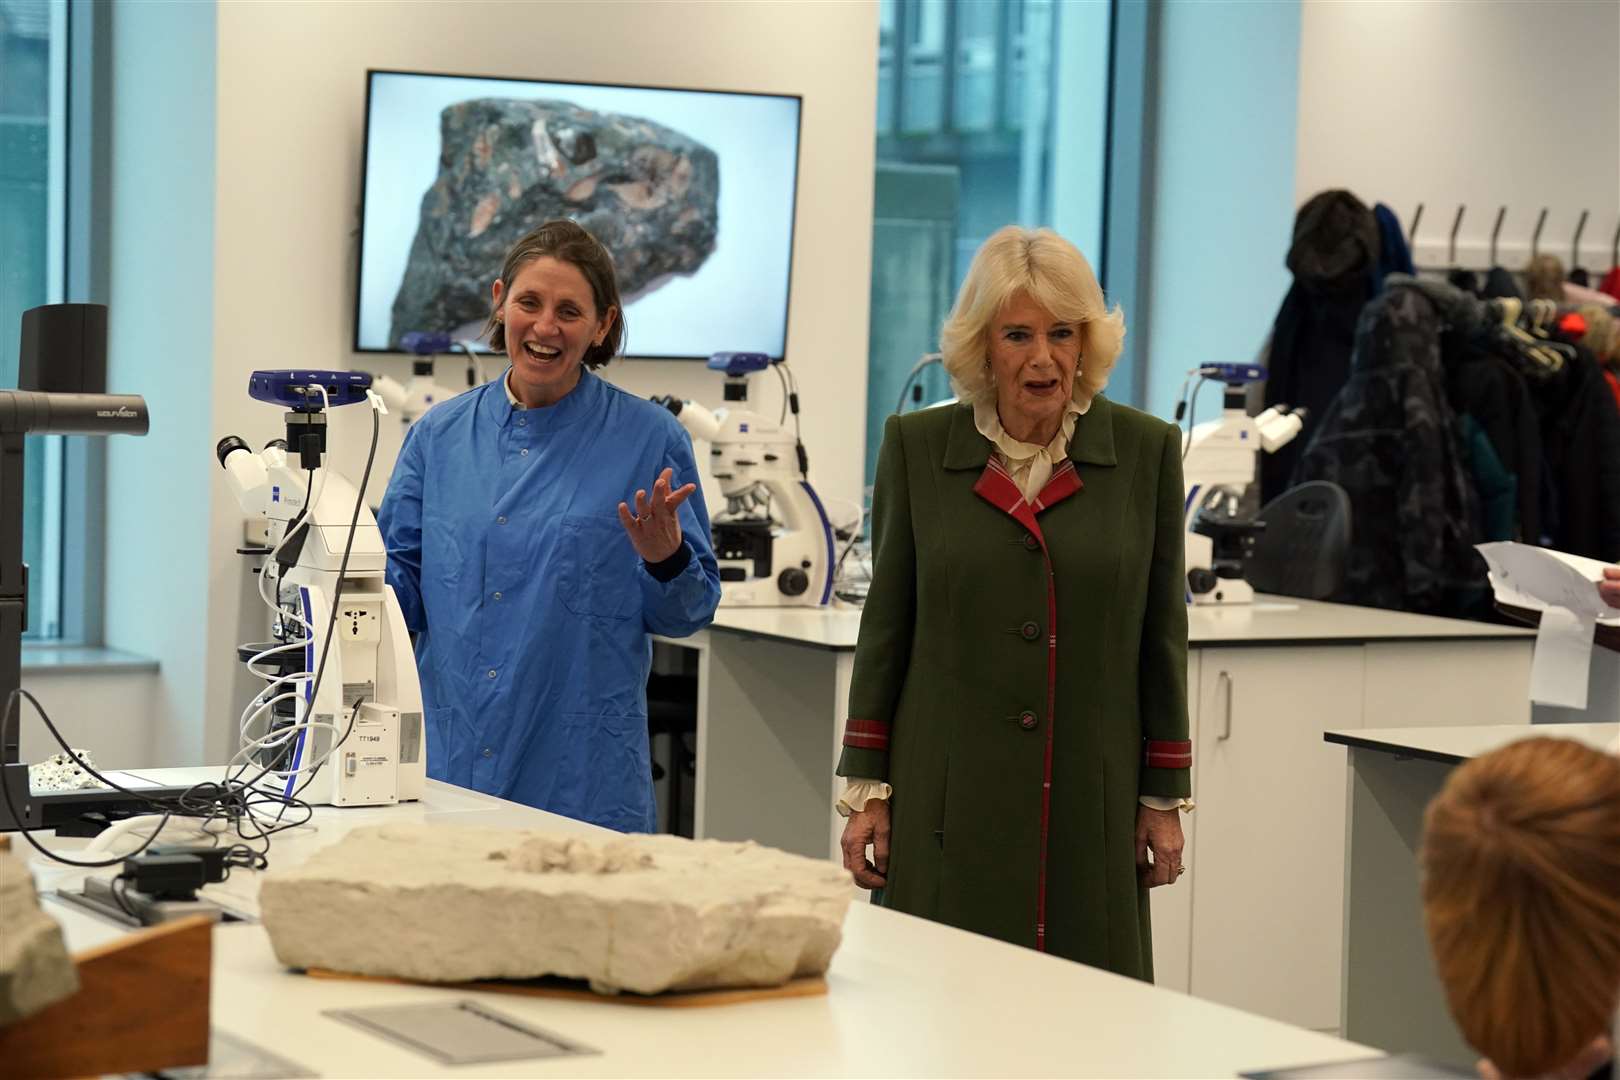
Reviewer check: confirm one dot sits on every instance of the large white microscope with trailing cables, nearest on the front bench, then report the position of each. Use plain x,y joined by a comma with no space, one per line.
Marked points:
341,721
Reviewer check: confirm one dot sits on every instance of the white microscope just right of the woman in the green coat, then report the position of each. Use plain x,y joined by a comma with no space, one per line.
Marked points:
1217,466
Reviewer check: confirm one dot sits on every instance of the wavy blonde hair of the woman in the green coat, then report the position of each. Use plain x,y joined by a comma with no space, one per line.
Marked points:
1052,273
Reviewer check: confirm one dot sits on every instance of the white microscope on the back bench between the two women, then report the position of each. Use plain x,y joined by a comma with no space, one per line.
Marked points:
774,540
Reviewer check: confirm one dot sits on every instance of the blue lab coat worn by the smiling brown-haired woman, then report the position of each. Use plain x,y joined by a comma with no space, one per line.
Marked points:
532,610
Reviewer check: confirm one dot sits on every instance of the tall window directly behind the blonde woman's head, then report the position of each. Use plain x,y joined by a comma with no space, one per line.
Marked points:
978,129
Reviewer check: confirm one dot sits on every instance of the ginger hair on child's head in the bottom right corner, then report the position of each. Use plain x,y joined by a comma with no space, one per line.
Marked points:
1522,896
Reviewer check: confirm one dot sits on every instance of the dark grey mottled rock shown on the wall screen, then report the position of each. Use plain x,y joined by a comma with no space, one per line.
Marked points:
649,193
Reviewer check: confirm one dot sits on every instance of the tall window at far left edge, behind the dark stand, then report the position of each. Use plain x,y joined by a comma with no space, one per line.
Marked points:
33,195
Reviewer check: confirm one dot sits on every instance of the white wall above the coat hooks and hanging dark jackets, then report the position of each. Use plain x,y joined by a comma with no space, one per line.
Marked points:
1512,103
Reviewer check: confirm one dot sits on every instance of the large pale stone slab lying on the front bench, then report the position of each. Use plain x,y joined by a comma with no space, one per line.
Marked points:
644,914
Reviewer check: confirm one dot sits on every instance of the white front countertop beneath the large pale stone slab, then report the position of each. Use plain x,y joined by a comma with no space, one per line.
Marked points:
905,998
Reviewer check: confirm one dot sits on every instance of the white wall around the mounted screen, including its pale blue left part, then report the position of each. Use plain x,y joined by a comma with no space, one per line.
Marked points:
234,250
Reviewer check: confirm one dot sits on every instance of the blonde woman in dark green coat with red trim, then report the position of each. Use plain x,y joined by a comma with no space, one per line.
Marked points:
1017,746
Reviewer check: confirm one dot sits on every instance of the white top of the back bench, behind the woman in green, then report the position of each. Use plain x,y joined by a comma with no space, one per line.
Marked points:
1269,621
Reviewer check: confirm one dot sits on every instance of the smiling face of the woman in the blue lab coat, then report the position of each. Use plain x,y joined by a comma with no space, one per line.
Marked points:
552,321
